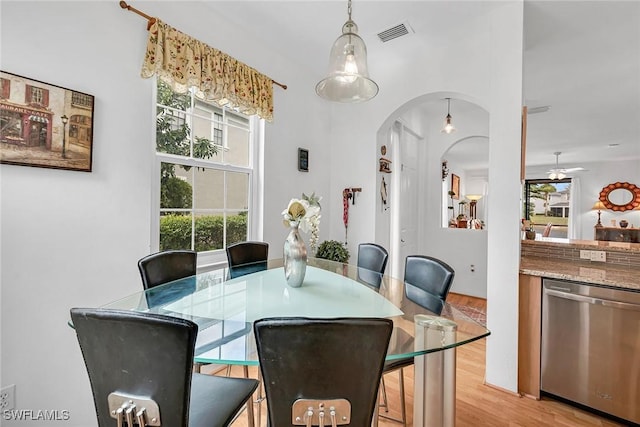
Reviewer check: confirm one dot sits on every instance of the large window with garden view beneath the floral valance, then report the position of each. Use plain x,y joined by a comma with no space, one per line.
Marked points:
206,173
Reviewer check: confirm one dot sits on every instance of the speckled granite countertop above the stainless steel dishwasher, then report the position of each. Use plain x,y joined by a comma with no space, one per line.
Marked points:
582,271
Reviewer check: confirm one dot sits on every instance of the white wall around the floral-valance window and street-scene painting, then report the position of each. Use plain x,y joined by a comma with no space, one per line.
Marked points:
72,238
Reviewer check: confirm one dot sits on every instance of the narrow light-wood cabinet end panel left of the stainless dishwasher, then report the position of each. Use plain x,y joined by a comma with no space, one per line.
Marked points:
529,333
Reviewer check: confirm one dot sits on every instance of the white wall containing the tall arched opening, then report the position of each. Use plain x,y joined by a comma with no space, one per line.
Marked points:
494,50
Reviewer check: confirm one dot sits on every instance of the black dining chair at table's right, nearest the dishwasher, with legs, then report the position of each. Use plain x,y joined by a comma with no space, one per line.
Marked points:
427,281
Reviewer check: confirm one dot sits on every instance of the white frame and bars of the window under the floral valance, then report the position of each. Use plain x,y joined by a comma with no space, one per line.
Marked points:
253,169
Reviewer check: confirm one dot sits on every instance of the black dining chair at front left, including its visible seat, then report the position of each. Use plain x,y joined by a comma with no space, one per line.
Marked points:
140,370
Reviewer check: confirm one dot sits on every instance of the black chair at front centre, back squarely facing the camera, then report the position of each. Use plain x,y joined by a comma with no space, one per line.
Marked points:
310,366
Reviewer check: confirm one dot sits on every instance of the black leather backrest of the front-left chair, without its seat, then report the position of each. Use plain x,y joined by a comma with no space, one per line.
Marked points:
139,354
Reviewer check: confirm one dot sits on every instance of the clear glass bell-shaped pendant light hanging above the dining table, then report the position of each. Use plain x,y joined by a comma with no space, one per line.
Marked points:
348,79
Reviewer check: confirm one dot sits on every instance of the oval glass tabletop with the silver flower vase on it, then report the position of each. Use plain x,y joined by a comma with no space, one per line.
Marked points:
225,302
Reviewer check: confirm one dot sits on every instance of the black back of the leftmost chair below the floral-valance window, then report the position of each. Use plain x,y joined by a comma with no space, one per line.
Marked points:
167,266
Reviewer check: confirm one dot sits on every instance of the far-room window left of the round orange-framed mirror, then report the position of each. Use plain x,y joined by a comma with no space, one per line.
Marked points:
547,202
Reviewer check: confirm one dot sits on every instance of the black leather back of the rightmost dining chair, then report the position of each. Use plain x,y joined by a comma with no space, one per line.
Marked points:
427,281
